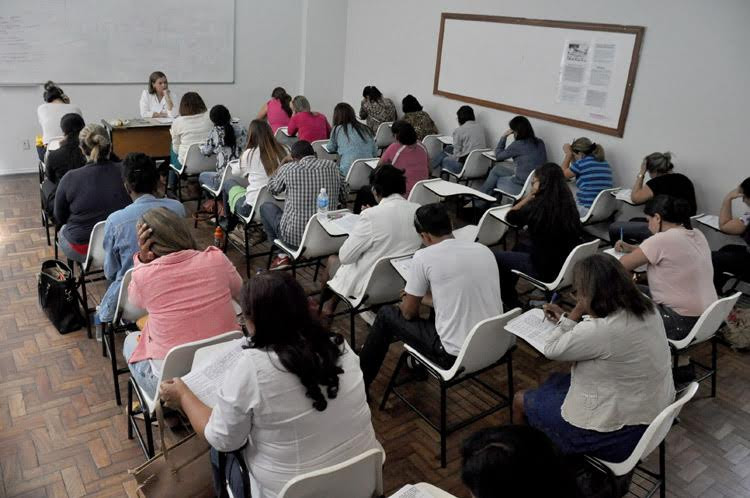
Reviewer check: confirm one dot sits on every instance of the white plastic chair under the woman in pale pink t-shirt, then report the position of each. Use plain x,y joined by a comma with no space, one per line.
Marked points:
705,330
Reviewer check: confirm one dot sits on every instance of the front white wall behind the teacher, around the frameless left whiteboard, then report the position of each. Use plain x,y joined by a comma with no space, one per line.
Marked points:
269,45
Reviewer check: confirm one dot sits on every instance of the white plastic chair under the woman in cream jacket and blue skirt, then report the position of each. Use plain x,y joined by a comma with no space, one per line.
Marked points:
654,437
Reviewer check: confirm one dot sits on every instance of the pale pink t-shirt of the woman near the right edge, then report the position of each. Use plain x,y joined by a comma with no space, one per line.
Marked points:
680,272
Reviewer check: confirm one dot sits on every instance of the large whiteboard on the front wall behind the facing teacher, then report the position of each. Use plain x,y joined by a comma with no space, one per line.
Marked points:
116,41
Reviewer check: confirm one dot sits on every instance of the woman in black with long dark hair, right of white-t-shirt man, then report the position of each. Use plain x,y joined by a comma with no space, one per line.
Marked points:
551,219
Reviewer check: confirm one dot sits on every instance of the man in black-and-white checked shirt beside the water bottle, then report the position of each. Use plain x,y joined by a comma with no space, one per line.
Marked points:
301,178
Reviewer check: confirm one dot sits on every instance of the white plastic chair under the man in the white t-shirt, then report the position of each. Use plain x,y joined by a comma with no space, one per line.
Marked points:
486,346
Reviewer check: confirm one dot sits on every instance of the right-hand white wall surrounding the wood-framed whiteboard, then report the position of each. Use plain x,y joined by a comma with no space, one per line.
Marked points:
690,93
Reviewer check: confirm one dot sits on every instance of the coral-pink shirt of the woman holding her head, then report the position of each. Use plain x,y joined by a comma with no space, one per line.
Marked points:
188,296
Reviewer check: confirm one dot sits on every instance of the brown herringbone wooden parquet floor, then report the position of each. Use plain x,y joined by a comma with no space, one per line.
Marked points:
61,433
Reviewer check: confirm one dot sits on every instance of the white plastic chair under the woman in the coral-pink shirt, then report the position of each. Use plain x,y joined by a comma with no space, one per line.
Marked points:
178,362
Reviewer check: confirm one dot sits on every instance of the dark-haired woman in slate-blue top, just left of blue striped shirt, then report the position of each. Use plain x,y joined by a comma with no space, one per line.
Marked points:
527,151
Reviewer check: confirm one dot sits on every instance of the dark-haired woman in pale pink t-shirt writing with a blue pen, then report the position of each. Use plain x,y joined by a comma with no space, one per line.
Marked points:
680,275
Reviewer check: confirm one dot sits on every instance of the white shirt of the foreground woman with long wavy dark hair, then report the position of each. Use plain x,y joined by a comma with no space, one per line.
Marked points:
262,401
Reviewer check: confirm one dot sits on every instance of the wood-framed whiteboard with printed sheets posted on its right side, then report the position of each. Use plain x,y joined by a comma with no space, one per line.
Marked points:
523,66
